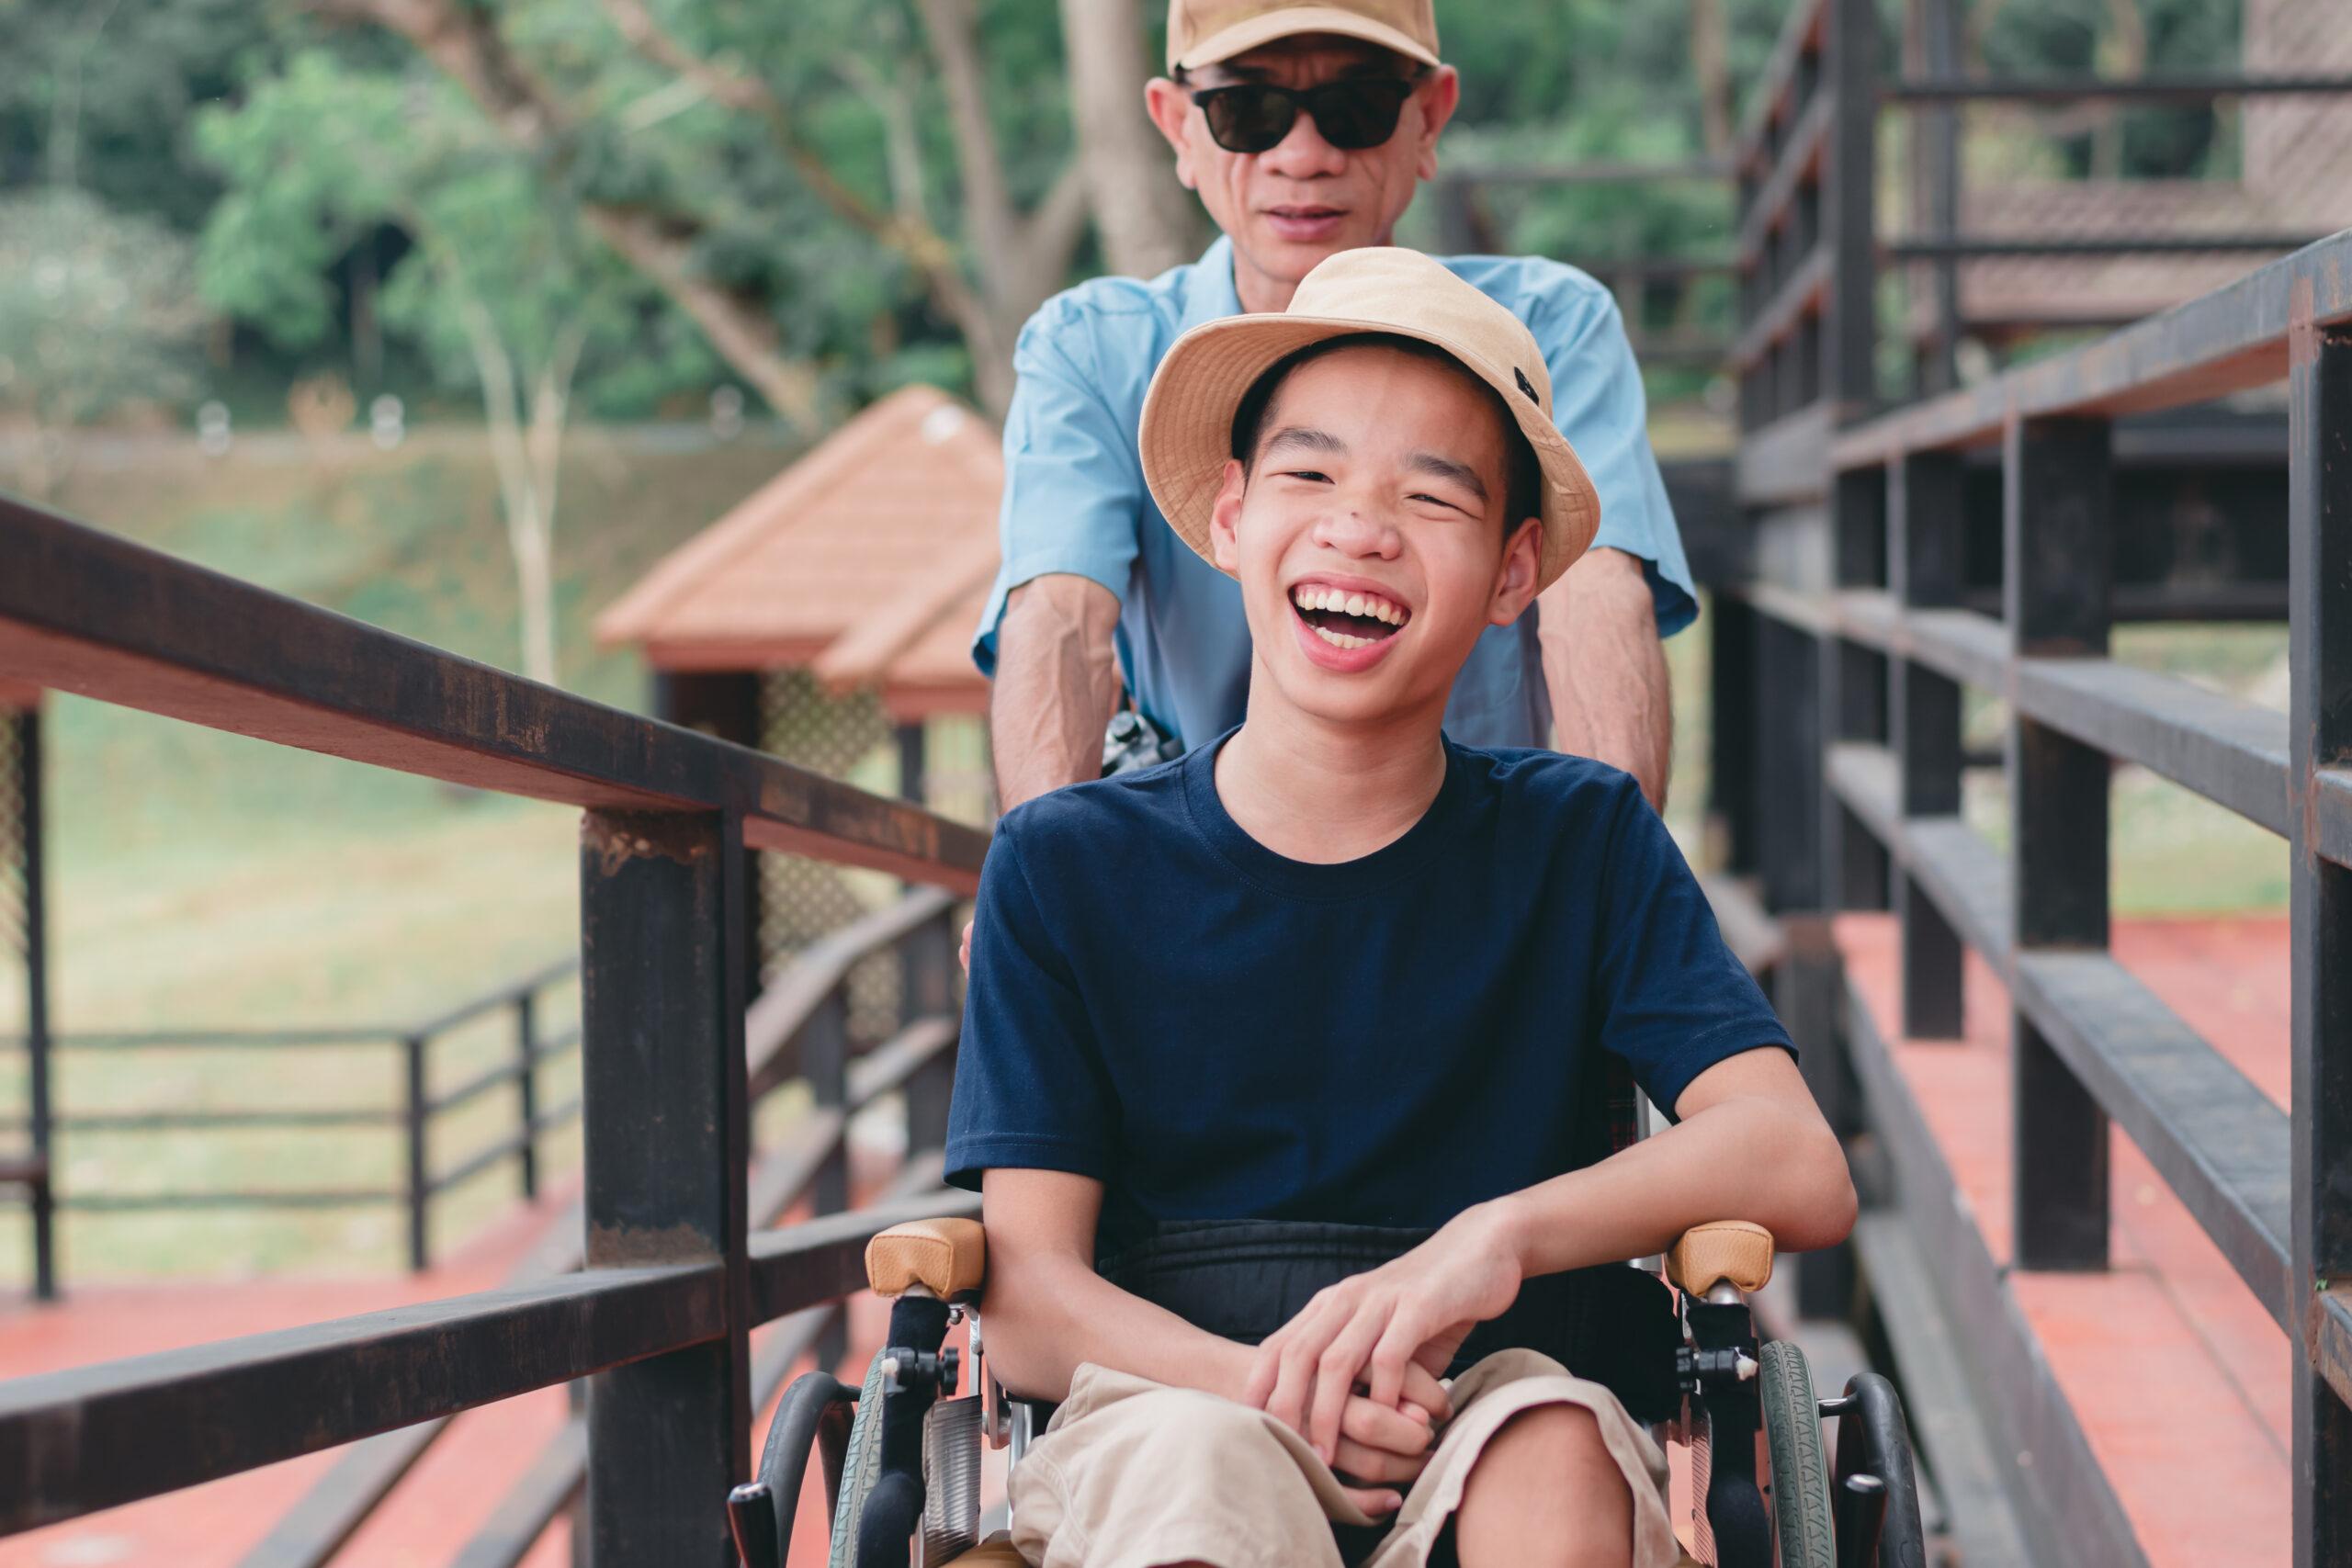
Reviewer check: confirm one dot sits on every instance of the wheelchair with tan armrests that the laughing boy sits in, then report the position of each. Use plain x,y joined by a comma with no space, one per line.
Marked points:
902,1454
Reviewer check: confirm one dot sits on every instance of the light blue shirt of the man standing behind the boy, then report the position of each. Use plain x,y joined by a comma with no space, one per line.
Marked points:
1076,500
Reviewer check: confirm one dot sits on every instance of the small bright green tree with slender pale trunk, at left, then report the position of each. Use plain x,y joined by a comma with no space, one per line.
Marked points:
500,286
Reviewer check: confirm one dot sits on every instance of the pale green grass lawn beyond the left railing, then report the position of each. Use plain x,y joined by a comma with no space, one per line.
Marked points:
203,880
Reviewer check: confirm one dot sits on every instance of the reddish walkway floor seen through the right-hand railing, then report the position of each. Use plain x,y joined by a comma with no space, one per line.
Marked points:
2174,1372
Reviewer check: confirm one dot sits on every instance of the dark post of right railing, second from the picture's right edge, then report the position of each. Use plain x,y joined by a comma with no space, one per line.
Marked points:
2057,544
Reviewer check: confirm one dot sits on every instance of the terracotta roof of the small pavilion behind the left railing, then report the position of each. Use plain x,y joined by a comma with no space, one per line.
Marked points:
824,547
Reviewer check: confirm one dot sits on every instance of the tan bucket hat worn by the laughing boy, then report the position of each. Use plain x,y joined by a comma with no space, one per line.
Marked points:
1189,415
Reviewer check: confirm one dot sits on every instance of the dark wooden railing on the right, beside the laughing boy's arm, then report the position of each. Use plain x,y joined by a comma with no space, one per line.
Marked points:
1866,742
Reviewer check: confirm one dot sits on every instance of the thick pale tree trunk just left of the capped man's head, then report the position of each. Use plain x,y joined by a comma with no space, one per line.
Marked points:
1144,217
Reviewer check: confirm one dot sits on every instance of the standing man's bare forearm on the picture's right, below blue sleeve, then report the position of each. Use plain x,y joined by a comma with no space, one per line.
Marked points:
1608,669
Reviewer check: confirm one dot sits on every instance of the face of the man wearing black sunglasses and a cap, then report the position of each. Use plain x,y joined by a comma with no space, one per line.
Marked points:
1304,201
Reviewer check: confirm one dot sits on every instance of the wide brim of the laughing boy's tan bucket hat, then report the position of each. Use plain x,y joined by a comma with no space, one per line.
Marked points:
1187,431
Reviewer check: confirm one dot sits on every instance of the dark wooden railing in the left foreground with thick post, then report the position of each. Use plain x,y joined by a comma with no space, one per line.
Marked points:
674,1275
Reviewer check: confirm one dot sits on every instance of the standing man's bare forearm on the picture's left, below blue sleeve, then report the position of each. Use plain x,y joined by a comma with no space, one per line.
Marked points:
1055,688
